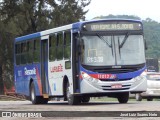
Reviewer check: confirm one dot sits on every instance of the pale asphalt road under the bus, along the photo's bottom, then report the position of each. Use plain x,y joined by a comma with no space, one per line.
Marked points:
93,110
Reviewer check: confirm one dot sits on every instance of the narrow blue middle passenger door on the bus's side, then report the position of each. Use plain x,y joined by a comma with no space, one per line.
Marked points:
44,67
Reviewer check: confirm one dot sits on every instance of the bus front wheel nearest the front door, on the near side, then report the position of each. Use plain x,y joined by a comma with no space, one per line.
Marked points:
72,99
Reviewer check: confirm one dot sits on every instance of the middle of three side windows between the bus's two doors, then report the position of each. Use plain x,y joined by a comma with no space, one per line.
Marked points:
59,46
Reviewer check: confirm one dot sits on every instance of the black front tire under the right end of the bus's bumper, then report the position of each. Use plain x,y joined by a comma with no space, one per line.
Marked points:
123,97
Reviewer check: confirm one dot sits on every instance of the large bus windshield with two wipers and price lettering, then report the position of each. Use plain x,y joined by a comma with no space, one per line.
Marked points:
110,50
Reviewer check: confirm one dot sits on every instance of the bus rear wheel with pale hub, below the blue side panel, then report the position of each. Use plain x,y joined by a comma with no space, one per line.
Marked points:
34,99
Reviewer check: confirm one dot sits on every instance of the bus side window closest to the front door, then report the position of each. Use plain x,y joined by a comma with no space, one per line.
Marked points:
67,45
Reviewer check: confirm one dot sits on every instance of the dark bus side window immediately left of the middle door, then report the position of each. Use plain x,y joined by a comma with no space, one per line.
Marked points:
36,52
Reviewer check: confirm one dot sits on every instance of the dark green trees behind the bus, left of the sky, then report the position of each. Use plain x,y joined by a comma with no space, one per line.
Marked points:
21,17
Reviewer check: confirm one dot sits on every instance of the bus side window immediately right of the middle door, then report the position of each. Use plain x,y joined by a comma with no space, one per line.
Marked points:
52,47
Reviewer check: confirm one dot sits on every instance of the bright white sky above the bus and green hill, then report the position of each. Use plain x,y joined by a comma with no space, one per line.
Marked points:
141,8
